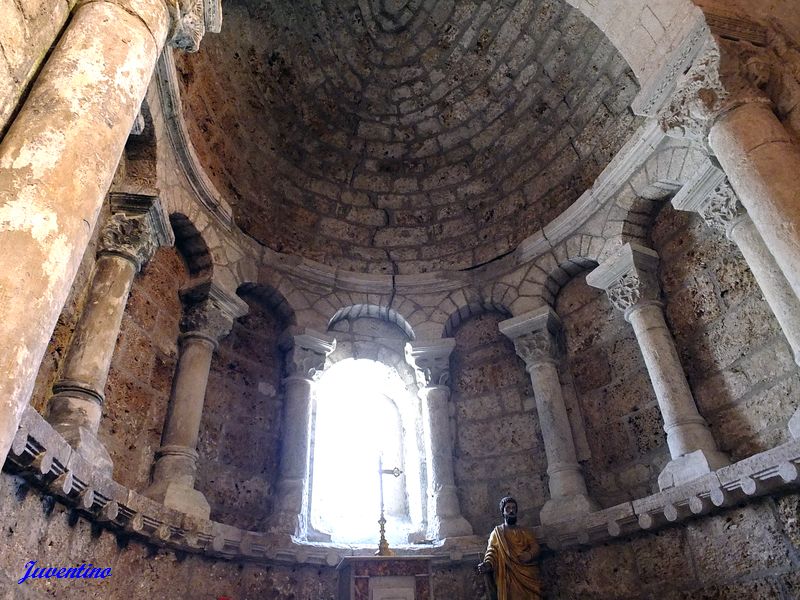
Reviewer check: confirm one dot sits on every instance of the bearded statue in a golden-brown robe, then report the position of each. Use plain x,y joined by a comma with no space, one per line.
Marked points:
510,561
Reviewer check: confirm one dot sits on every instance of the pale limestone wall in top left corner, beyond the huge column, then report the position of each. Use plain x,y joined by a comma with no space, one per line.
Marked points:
29,28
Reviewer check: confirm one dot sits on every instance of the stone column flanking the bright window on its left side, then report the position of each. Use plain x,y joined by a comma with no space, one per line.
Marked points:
306,353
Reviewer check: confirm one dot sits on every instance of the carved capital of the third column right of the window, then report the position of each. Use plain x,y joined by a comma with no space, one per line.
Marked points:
629,278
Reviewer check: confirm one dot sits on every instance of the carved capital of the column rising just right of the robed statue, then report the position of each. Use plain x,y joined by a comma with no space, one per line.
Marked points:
537,336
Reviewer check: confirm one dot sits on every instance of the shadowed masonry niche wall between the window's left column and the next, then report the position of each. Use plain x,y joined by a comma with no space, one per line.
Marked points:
240,431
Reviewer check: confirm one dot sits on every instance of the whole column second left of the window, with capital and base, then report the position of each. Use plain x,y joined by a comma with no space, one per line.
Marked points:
208,317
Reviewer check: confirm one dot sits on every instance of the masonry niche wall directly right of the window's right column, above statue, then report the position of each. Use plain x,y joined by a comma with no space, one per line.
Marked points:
498,448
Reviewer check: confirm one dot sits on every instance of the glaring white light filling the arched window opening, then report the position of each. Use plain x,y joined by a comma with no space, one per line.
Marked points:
359,419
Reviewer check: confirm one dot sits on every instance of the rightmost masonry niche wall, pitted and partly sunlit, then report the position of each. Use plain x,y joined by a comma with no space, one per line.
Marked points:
738,363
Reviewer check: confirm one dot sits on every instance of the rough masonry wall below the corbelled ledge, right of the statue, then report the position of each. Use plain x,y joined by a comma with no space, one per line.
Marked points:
745,552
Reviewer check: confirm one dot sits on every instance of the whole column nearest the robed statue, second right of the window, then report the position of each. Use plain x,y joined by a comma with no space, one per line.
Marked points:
537,339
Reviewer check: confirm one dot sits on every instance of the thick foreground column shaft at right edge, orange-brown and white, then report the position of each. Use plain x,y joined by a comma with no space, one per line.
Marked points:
762,164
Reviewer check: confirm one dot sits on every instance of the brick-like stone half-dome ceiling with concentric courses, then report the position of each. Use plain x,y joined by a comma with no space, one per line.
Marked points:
403,136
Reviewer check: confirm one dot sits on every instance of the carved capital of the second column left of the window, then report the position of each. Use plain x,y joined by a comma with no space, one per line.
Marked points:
209,311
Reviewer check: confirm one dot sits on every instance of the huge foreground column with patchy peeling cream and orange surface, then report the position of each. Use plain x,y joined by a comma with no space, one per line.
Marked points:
57,161
